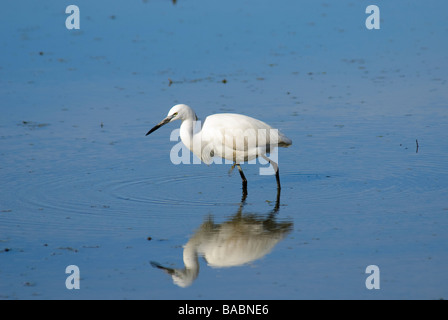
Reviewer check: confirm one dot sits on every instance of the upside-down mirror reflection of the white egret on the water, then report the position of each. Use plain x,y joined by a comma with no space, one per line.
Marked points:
242,239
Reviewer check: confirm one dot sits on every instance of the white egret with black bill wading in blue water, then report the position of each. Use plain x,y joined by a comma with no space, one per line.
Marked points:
230,136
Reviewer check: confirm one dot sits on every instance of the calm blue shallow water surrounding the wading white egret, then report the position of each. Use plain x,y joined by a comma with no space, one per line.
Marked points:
364,183
